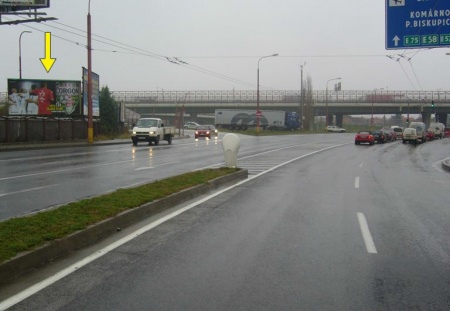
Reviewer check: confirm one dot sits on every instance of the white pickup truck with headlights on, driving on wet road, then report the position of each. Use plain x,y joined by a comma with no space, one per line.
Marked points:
152,130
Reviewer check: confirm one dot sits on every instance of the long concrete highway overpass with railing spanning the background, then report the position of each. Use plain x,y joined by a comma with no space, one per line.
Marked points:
333,103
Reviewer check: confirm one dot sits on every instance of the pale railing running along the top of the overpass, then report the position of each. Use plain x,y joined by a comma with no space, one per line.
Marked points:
274,96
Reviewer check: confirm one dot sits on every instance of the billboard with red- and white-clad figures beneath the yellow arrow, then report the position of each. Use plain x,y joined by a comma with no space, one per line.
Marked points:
55,98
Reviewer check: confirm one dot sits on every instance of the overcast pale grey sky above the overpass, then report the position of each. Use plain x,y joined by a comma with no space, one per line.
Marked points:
221,41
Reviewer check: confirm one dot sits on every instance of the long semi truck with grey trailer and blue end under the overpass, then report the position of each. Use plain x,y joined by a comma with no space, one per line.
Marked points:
238,119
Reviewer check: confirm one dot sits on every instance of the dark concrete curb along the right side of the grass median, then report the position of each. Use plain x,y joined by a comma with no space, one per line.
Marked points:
26,262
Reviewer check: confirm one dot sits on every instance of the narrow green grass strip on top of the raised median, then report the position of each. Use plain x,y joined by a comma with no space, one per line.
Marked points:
27,233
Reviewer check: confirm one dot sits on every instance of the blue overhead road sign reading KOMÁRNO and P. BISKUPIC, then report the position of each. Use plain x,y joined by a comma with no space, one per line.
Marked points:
415,24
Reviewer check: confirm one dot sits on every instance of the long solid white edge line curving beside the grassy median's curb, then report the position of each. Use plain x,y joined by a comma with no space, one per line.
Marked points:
11,301
